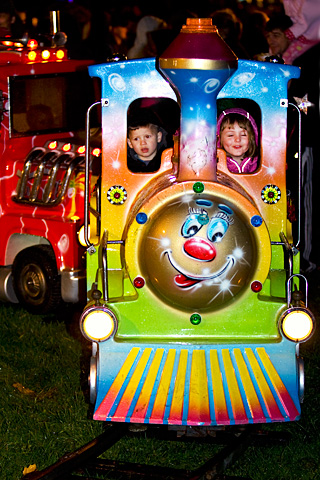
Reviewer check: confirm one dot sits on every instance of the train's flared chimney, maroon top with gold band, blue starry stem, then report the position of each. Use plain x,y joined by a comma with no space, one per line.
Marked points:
198,63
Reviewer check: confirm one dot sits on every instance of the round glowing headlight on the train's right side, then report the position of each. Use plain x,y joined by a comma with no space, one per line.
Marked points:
297,324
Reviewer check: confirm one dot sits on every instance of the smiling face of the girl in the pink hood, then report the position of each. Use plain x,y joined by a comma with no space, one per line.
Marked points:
235,141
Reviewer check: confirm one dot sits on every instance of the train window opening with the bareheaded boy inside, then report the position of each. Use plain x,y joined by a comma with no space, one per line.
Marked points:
151,125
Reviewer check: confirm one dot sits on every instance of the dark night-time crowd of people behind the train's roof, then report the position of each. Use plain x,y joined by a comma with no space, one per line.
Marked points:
97,31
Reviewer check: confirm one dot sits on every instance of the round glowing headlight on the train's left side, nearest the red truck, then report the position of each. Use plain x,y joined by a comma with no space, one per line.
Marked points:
98,324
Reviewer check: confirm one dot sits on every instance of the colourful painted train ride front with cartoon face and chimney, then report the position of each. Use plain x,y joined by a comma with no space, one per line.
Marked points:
191,270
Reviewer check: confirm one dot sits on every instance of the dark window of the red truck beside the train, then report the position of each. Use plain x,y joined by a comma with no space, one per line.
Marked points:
51,103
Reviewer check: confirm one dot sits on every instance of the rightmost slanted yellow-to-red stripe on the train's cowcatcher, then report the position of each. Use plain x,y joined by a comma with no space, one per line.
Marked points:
279,386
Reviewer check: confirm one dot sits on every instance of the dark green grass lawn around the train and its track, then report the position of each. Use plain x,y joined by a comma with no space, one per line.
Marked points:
44,409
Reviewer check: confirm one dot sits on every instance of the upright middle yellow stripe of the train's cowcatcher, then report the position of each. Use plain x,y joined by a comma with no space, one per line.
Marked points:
199,398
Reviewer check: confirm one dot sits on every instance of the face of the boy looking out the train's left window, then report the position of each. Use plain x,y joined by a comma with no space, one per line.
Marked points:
144,141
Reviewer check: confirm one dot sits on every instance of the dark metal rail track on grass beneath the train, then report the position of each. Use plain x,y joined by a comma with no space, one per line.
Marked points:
85,464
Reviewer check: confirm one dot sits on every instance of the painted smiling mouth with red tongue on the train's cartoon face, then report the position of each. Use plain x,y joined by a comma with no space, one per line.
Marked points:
185,279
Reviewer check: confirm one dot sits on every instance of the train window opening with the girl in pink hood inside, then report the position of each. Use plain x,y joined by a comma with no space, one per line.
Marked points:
238,128
